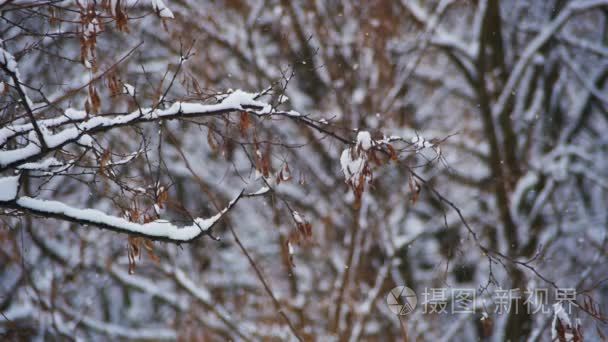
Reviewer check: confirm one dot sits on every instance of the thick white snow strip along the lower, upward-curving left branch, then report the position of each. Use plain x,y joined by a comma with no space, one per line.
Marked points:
160,230
